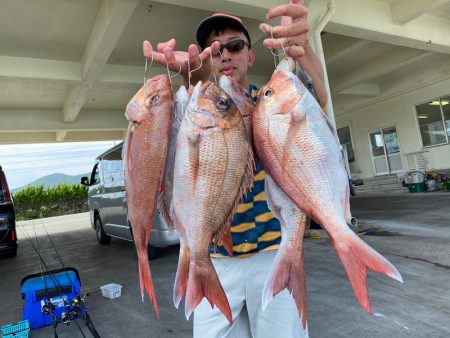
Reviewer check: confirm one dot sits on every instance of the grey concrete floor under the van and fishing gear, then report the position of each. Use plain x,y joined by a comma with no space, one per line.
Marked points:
413,232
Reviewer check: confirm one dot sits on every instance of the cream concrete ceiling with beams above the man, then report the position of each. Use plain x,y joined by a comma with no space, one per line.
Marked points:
68,68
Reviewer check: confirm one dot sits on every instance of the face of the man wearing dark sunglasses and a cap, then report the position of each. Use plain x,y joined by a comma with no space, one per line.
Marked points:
236,63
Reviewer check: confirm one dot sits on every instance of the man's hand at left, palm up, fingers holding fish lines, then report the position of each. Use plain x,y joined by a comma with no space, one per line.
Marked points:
181,62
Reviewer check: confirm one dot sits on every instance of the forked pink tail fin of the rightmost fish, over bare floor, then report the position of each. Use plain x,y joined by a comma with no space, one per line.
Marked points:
356,256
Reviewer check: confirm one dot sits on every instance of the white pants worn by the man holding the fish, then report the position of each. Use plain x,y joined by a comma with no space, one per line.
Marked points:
243,281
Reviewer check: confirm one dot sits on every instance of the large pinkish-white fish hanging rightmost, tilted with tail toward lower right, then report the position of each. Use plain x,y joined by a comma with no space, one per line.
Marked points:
301,153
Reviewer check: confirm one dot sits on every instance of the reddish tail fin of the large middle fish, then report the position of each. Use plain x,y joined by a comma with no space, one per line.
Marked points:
204,282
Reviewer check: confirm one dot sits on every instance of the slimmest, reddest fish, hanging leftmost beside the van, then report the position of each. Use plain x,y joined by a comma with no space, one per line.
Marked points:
150,115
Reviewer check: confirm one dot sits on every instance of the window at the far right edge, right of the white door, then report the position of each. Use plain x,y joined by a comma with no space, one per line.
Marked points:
431,123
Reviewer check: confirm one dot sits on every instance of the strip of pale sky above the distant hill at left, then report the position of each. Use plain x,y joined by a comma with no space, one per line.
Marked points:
24,163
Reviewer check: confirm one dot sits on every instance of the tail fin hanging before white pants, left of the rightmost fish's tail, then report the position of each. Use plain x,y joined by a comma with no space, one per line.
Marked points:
288,272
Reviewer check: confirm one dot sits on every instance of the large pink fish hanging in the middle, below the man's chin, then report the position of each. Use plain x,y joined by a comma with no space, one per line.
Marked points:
213,168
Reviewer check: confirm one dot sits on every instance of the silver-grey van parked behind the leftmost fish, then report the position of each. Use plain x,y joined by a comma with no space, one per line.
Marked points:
108,204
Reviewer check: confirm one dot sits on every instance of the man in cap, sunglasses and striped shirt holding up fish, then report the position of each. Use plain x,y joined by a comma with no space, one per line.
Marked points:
255,231
